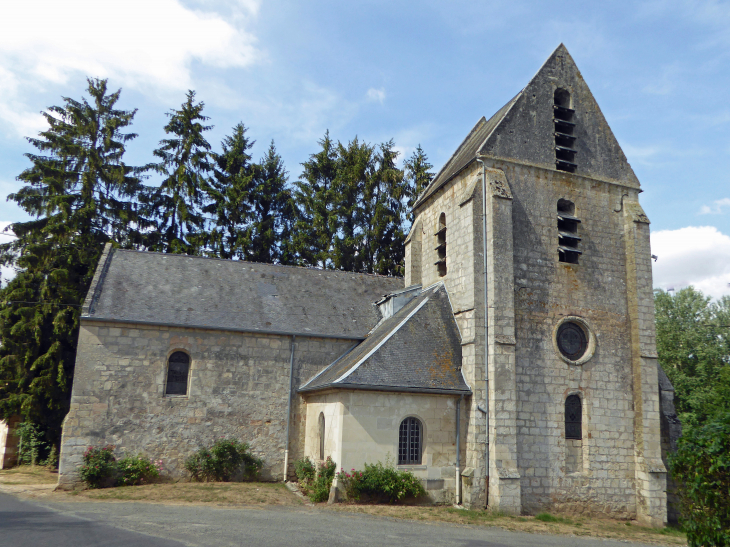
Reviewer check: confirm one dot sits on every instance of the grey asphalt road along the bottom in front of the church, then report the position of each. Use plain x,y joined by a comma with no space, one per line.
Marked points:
92,524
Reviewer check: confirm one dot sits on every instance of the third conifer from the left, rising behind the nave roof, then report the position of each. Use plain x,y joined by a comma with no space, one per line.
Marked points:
228,194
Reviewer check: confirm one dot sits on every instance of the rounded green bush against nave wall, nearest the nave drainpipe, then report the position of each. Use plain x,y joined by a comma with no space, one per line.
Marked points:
227,460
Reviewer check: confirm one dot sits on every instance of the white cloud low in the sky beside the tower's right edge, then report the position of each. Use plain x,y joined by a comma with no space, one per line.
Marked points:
695,255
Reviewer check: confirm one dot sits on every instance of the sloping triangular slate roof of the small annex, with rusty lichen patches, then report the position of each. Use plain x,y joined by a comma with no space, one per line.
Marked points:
418,349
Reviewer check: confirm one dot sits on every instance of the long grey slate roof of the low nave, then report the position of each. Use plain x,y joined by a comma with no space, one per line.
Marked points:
166,289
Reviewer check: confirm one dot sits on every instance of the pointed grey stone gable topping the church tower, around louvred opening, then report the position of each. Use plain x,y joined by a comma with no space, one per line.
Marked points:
526,133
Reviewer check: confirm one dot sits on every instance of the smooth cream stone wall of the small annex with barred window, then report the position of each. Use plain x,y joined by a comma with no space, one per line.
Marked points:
363,426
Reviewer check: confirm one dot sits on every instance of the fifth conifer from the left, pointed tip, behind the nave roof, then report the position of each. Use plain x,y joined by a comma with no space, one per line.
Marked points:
315,197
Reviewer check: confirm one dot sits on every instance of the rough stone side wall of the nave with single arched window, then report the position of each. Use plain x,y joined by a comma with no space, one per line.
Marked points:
238,387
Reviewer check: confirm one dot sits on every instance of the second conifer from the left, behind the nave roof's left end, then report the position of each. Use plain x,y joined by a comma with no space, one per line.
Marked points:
185,165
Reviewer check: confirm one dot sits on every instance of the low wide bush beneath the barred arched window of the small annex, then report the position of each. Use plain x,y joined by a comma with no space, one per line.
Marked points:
381,482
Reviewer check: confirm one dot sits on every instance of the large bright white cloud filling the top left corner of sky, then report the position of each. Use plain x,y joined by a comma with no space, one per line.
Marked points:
145,44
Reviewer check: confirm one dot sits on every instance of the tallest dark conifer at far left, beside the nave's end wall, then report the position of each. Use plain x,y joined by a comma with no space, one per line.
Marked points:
81,195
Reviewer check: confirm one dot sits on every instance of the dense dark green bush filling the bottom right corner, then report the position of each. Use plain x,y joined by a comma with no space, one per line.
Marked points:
701,467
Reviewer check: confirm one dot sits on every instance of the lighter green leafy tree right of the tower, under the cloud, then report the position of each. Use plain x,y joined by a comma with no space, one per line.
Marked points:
693,343
